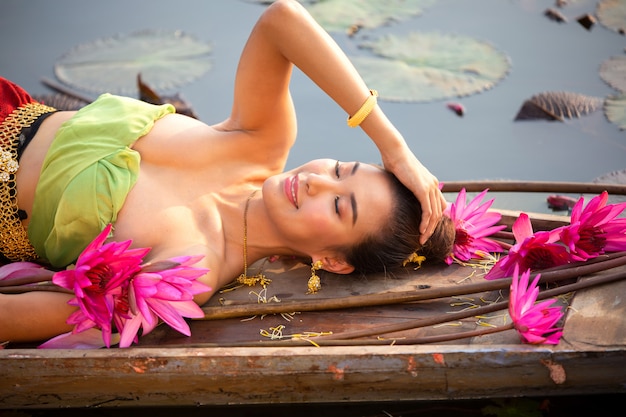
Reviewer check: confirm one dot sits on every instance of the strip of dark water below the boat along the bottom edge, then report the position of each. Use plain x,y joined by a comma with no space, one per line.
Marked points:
585,406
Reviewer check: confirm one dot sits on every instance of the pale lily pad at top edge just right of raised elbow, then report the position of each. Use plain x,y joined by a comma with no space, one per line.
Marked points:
341,15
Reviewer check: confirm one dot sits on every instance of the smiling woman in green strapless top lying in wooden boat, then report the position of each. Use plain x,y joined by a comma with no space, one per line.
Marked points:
219,191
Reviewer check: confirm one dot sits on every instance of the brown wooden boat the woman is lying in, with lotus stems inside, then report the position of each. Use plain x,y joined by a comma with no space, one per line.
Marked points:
359,339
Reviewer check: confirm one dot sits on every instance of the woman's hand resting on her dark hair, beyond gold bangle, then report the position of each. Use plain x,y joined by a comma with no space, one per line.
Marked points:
410,171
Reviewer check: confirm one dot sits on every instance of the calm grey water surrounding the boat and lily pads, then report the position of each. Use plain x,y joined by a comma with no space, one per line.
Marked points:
485,144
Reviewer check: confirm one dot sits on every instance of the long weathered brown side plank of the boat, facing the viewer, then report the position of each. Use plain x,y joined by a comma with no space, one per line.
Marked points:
179,376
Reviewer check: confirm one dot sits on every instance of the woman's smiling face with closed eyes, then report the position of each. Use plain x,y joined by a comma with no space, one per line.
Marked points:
326,203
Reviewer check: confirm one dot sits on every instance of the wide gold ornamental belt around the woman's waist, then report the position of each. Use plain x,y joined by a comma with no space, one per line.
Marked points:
14,243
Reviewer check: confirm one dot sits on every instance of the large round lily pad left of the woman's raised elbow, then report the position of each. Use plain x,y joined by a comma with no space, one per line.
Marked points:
164,59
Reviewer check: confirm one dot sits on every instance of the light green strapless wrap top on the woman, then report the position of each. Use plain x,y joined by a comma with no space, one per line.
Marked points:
87,174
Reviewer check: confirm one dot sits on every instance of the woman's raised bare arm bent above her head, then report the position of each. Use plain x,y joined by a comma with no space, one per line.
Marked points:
286,34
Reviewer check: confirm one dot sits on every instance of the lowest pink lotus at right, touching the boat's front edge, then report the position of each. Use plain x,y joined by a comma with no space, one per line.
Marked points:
534,322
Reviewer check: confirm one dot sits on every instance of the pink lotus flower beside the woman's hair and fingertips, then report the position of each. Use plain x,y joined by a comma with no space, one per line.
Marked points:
473,223
